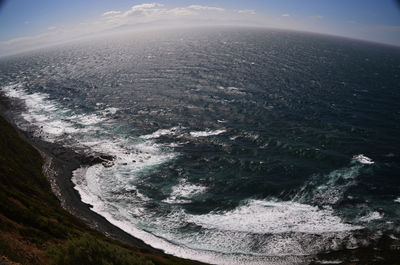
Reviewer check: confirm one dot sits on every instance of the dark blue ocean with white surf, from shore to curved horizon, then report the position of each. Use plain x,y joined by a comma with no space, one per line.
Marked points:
231,145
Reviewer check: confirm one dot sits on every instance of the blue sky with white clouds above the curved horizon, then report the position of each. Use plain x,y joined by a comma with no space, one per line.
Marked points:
28,24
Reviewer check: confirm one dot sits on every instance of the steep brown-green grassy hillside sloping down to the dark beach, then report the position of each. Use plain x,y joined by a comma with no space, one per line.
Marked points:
34,229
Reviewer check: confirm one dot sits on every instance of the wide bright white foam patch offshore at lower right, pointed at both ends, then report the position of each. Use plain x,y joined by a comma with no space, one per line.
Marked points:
269,217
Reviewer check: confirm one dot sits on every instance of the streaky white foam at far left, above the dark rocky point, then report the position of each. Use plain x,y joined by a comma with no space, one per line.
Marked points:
55,121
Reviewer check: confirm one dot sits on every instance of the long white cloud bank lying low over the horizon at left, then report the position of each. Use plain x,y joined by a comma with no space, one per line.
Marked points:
136,17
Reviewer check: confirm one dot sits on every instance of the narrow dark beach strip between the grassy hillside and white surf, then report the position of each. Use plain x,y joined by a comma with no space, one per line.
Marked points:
59,163
